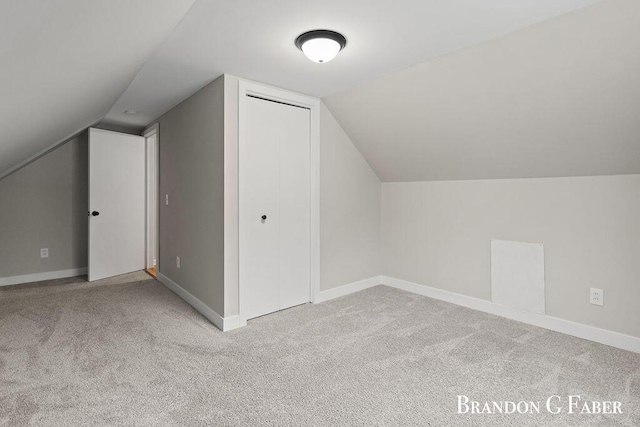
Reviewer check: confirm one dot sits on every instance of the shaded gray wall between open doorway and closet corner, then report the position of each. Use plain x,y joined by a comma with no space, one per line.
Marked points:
192,173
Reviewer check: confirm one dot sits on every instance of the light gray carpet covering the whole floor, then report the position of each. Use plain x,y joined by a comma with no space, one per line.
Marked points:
135,354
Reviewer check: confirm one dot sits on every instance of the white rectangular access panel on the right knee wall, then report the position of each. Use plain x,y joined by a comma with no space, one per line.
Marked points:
517,275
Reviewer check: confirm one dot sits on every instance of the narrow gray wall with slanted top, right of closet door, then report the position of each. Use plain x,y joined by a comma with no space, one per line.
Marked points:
349,209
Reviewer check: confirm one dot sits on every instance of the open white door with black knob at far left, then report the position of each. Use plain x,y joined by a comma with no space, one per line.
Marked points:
116,203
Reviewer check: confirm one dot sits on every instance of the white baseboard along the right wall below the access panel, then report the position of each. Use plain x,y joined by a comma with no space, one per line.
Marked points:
591,333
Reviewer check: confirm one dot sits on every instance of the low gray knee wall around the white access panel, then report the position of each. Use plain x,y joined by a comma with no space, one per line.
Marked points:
438,234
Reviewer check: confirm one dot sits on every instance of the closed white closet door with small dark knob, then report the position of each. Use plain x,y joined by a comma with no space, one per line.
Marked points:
274,207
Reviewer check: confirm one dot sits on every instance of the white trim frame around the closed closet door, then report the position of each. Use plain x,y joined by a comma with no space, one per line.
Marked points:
246,88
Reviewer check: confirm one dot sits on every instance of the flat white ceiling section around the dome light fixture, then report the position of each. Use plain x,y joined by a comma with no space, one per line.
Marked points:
254,40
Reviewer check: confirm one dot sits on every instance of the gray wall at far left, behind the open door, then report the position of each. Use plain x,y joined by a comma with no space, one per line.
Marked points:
44,205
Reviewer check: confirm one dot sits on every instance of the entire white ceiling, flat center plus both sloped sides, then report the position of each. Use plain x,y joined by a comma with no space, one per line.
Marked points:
500,89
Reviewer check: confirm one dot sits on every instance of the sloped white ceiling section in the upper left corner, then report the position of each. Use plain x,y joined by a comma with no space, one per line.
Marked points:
63,64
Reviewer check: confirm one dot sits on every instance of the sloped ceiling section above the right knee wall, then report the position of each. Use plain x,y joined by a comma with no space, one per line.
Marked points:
560,98
